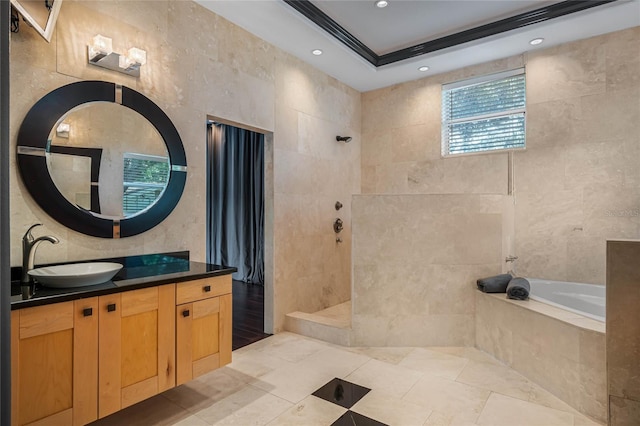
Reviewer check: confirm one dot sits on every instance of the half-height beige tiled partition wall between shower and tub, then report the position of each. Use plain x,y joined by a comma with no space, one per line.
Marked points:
416,259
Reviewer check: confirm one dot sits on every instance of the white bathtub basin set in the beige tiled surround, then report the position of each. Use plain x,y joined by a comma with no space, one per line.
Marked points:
584,299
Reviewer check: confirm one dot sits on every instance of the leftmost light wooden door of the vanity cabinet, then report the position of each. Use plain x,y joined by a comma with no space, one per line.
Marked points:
54,353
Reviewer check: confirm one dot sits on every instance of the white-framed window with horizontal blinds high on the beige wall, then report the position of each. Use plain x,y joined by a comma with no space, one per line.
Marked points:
484,114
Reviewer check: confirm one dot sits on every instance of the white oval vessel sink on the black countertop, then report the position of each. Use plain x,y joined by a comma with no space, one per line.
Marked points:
75,274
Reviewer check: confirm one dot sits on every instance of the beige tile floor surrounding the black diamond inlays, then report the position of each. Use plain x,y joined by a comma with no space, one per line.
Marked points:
271,382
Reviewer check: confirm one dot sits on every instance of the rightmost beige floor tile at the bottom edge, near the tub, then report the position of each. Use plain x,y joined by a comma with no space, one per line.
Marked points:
503,410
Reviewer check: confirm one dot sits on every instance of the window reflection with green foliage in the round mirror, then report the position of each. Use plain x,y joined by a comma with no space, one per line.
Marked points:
145,177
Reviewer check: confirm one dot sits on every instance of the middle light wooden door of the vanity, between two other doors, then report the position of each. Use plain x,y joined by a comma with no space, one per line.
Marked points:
137,346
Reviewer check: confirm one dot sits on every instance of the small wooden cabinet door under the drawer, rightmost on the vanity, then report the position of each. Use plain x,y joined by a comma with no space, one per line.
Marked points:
203,333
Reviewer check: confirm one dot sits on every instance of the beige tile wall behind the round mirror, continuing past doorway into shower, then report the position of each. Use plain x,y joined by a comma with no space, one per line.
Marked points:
201,65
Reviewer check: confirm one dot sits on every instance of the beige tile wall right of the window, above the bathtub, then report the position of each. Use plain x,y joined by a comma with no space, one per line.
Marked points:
576,185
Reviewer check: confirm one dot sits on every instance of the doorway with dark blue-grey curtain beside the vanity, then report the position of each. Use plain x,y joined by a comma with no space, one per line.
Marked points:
236,221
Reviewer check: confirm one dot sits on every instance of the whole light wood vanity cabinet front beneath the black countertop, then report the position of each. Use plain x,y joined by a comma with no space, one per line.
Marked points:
74,362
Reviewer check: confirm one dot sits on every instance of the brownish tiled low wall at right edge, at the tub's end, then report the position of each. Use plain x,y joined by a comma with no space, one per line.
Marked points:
623,332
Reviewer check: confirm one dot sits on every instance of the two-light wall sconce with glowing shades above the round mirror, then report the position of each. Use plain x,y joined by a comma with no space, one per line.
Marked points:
101,54
